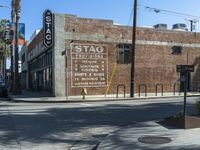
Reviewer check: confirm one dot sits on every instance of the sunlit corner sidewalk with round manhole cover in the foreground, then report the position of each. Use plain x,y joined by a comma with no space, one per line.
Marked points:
151,136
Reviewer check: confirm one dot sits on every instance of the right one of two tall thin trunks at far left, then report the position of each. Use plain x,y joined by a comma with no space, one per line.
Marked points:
16,12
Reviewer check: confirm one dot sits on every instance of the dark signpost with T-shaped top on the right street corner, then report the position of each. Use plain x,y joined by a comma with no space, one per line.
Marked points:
185,69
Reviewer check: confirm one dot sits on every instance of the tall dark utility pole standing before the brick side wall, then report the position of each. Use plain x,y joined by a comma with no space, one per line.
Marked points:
133,50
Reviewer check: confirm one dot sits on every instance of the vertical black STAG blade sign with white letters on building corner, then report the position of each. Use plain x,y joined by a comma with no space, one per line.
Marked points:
48,28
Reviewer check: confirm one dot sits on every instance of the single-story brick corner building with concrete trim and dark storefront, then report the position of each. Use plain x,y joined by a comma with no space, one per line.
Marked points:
96,54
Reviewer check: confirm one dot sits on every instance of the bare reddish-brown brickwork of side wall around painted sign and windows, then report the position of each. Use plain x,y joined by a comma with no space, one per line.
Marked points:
154,63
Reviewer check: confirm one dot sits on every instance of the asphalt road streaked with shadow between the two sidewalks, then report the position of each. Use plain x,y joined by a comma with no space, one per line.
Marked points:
76,126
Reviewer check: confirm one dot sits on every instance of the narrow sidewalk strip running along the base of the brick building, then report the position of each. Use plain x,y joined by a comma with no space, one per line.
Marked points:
28,96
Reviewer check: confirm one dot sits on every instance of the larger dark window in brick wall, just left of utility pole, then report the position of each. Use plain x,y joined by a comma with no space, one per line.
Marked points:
124,53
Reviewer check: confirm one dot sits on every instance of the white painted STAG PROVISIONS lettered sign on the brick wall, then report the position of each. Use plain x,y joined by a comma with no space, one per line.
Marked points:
89,65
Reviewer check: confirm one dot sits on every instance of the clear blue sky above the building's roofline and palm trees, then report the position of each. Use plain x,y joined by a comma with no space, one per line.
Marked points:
117,10
